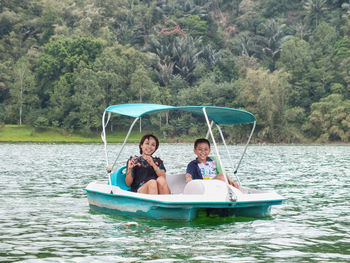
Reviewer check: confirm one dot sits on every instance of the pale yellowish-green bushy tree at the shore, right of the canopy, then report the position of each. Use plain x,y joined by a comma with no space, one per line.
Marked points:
266,95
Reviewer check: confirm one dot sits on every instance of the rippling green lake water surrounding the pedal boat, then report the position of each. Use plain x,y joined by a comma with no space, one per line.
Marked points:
45,217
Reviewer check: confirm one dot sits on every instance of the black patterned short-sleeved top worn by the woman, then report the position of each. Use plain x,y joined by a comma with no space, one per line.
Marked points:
143,172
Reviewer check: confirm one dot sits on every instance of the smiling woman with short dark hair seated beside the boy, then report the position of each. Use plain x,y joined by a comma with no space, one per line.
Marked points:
146,174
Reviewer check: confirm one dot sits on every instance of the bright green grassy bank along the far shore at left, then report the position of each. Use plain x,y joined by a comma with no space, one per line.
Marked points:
25,133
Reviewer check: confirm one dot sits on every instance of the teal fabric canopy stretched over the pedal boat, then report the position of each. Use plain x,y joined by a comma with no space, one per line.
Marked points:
220,115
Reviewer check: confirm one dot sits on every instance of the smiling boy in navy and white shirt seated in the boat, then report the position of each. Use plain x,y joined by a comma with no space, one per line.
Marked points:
203,167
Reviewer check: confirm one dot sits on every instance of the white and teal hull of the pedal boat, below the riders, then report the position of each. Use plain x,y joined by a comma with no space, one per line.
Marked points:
212,196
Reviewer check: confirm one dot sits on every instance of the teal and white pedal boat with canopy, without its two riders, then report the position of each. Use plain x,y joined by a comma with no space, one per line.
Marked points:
215,197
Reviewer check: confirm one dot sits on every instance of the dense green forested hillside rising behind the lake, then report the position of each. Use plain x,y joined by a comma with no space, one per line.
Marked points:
288,62
